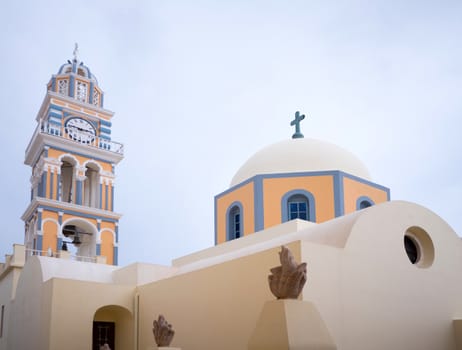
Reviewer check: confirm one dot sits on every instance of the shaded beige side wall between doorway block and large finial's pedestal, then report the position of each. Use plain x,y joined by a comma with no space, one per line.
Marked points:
214,307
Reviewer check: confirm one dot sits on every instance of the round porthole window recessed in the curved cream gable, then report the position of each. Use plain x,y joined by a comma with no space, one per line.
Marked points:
419,247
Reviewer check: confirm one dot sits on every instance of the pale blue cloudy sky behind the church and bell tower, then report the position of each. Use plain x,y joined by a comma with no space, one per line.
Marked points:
197,87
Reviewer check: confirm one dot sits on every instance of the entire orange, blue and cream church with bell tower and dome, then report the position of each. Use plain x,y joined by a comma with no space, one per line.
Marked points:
382,274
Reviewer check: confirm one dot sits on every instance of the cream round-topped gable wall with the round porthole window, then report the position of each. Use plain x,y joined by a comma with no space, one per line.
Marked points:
372,297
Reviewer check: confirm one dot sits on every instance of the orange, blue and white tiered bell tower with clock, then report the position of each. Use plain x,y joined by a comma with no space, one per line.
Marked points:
73,159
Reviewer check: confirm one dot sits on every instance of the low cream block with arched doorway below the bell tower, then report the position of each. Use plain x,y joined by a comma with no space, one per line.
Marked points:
58,313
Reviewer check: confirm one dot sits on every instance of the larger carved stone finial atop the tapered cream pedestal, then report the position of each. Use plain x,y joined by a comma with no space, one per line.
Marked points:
287,280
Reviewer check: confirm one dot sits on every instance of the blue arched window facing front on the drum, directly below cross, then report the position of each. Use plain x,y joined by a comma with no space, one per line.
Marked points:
298,204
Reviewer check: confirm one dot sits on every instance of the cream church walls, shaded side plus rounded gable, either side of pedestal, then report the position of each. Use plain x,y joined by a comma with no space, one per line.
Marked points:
361,280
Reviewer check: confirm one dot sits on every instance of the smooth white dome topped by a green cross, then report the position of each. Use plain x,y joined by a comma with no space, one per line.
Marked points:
300,155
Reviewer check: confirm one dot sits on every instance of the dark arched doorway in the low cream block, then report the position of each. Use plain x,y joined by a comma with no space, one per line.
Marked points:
113,325
